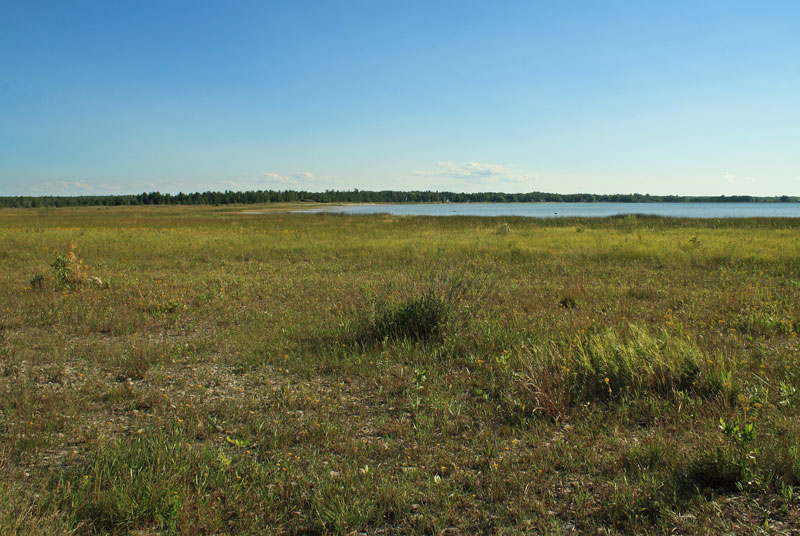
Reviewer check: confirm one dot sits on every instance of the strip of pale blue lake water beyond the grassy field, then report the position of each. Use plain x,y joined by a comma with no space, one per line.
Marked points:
591,210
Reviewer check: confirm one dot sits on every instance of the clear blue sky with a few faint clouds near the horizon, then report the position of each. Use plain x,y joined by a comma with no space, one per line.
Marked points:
686,98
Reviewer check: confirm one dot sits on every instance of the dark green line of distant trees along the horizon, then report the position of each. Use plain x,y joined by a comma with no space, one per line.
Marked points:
364,196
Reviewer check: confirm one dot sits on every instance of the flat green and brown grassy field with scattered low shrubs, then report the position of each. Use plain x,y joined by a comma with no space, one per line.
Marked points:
201,371
